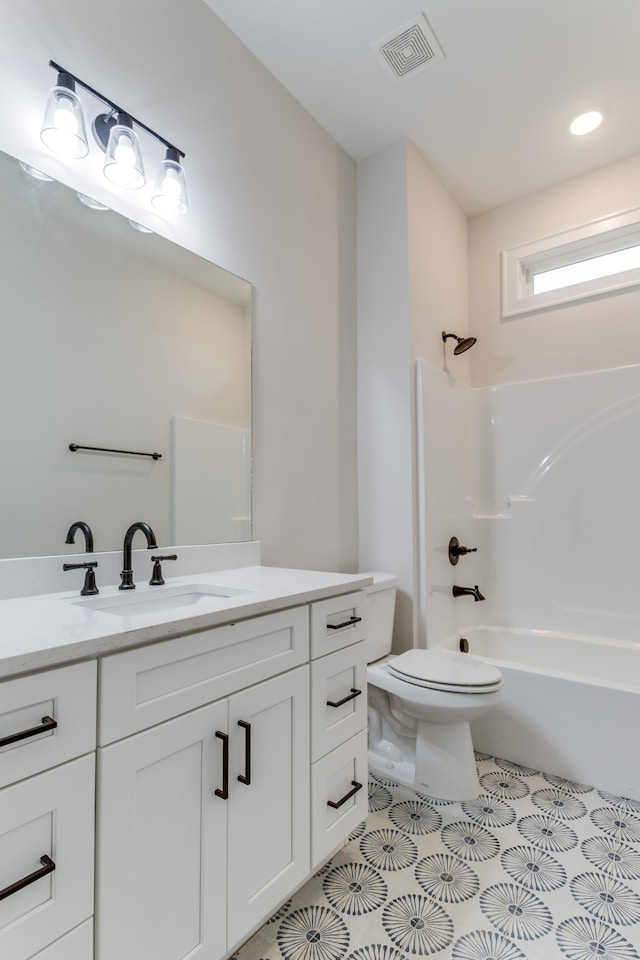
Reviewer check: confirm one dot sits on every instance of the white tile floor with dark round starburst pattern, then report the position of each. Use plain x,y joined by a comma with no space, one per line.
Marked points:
537,868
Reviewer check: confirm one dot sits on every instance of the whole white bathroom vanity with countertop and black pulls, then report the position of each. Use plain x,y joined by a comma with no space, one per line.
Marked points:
209,733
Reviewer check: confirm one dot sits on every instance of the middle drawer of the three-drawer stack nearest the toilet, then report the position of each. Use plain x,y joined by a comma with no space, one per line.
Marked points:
338,698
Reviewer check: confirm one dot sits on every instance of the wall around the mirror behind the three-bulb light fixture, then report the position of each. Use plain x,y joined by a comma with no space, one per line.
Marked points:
272,199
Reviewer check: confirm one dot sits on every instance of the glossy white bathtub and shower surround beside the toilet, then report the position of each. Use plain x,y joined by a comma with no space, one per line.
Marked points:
542,477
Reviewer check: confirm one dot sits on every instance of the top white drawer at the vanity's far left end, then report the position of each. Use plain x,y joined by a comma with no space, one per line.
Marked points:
29,708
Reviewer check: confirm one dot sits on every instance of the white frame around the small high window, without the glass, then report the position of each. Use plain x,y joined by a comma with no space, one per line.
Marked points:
601,236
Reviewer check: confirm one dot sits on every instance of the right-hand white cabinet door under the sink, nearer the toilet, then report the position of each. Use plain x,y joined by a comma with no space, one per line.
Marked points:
268,821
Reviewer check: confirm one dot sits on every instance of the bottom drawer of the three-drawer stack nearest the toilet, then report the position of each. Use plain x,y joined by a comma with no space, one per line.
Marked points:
334,778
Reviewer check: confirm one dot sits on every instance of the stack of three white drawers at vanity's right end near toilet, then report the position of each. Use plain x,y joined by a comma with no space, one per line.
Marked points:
338,722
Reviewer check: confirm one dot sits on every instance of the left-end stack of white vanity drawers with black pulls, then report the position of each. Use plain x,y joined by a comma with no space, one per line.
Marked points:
47,775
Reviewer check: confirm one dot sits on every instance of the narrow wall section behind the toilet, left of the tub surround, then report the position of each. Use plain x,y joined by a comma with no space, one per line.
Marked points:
384,388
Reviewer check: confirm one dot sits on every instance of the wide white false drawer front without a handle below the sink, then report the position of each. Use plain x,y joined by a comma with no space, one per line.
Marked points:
145,686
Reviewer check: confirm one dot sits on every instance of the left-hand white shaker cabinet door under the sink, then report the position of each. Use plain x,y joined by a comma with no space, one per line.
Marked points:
161,847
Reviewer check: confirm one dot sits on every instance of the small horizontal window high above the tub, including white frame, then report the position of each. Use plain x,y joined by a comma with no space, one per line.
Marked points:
597,258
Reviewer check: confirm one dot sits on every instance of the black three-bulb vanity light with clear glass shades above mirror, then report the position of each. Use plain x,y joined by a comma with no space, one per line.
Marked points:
63,131
